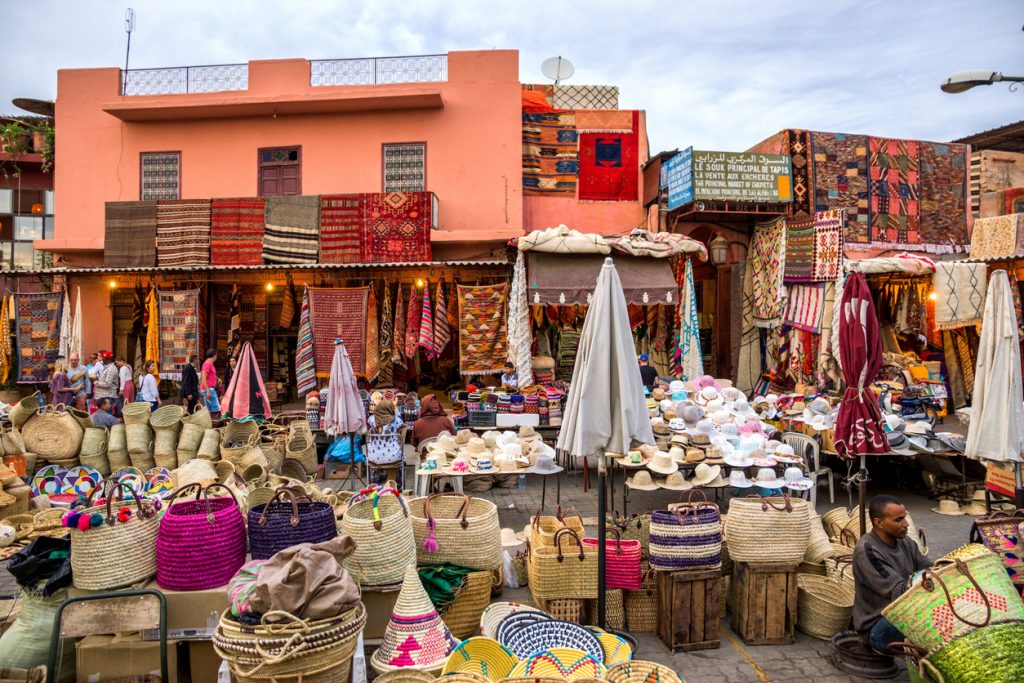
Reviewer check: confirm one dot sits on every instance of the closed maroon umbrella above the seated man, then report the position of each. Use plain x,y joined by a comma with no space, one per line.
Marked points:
859,426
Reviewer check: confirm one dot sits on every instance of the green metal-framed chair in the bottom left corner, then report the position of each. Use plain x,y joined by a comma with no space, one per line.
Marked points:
89,620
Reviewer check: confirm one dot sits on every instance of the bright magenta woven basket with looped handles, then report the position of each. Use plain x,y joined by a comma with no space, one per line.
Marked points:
201,543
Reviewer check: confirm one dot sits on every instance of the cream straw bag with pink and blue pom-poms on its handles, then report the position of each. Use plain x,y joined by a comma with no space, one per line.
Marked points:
116,553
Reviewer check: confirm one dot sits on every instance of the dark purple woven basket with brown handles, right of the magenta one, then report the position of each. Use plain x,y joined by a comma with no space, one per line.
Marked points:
280,525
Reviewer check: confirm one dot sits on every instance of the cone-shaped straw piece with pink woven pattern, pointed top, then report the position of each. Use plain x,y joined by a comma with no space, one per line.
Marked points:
416,637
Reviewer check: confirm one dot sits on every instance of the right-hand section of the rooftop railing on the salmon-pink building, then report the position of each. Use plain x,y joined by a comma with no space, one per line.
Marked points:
378,71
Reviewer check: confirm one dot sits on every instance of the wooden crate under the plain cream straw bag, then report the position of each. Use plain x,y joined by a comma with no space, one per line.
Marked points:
764,610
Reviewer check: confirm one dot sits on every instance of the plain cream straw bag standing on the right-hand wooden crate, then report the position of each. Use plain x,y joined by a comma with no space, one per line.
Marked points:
769,530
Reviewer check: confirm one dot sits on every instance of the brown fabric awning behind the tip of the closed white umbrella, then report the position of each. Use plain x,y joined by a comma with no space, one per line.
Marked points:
570,279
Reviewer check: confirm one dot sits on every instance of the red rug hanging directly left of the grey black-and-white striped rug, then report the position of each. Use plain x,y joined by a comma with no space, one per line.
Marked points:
237,231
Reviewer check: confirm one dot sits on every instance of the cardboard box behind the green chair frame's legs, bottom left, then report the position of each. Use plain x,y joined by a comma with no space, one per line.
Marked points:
104,658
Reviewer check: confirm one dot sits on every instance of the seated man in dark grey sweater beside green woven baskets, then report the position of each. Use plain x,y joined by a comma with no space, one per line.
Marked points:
885,564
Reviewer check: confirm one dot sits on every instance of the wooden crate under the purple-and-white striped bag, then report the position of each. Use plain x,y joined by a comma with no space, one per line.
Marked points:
689,610
